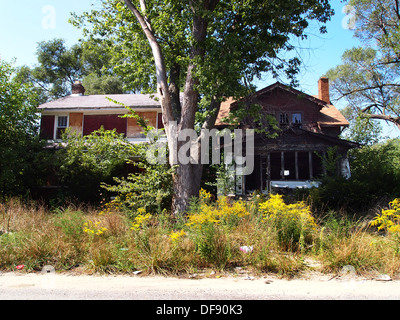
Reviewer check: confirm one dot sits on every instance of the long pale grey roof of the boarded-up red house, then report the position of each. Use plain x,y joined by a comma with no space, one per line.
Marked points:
100,101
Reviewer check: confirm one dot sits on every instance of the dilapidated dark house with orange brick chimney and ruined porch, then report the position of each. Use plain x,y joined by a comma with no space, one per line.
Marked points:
308,127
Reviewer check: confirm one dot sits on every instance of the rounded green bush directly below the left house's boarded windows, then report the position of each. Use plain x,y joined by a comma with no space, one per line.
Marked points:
88,161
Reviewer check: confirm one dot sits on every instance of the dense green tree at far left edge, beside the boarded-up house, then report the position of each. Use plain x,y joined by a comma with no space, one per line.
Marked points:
22,160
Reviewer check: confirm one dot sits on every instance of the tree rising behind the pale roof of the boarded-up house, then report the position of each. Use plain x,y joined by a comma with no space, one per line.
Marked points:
58,68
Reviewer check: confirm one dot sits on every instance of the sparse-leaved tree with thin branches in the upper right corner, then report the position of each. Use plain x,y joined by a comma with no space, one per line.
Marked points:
368,78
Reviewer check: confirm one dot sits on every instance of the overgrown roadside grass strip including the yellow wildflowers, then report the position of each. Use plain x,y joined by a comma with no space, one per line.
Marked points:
259,235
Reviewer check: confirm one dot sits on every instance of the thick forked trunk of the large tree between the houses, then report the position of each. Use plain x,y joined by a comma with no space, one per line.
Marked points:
187,178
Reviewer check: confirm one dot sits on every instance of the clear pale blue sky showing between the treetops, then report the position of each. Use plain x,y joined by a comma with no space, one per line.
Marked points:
24,23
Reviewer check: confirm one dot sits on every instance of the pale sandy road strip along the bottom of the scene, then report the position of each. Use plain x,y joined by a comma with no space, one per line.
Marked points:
313,286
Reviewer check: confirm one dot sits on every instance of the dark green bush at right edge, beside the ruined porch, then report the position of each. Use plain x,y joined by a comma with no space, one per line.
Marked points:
375,179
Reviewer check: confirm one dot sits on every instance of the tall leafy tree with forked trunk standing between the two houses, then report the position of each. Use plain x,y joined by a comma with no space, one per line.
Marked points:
202,51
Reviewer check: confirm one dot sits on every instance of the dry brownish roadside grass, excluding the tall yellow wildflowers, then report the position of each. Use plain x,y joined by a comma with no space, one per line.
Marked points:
34,236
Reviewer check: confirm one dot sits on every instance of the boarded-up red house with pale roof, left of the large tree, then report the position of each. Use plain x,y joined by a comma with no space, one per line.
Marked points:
87,113
